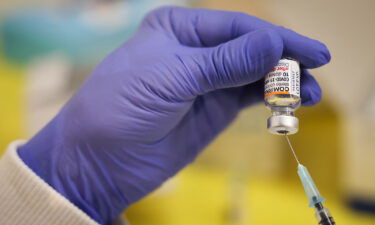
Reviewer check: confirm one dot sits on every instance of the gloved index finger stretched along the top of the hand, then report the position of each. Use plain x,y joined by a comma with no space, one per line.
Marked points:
207,28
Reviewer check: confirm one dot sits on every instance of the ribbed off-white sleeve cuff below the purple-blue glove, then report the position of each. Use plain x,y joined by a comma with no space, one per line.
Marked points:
27,199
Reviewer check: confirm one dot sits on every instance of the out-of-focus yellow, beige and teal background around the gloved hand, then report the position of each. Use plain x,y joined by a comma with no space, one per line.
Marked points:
247,176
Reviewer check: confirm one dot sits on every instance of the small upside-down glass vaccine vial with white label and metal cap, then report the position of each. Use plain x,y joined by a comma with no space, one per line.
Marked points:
282,96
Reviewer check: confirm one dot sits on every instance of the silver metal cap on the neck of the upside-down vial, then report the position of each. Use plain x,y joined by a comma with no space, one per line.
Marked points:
282,124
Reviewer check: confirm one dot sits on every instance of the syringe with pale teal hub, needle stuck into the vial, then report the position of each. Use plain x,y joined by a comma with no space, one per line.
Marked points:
316,200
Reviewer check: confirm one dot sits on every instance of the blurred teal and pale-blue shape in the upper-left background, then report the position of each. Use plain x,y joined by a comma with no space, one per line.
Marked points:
82,36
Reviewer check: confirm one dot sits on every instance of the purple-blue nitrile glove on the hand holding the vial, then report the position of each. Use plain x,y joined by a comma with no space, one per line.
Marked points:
153,104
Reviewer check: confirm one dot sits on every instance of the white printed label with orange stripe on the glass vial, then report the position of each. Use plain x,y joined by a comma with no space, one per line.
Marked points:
283,79
